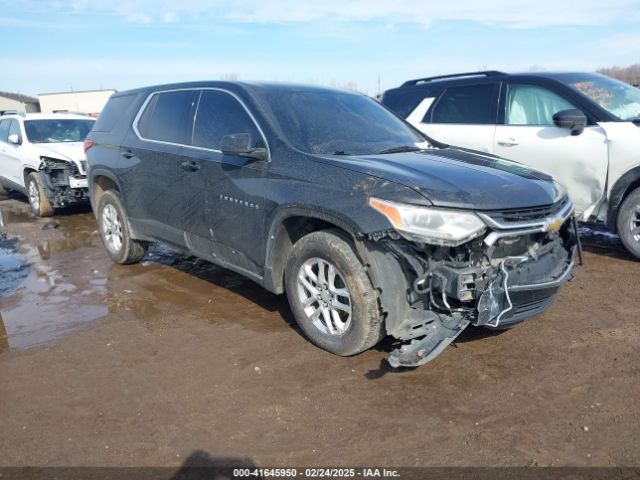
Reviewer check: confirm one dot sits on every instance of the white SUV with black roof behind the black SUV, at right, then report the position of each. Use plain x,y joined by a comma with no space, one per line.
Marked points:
581,128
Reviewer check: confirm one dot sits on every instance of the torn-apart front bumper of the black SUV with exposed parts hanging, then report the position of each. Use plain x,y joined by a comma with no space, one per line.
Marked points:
512,273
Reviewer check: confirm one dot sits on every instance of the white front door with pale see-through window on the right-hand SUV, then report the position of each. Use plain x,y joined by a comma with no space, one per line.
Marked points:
529,136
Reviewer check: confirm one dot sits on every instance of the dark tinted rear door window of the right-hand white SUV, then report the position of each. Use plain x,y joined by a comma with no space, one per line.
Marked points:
473,104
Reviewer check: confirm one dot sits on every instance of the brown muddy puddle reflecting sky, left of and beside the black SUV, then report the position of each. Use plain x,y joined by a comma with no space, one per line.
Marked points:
55,277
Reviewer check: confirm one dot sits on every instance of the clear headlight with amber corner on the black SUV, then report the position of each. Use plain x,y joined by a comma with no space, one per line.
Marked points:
431,225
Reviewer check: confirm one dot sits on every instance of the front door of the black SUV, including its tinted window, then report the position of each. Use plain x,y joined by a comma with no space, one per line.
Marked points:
223,202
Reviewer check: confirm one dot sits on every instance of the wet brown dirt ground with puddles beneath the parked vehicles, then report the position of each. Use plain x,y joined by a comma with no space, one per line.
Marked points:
103,364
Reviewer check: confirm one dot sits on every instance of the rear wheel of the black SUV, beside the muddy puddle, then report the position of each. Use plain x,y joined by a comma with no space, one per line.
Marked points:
114,230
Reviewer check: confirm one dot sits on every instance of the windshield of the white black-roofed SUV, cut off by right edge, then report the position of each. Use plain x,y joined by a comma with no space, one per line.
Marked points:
618,98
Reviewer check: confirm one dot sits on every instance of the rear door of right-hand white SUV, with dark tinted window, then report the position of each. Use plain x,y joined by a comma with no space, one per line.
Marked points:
462,116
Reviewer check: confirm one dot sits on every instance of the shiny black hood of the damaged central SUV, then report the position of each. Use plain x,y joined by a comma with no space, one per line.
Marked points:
458,178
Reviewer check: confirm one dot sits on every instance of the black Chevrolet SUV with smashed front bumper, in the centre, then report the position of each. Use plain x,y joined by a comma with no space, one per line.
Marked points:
328,196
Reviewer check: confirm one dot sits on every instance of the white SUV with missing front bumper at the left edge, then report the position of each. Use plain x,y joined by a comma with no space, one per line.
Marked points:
41,155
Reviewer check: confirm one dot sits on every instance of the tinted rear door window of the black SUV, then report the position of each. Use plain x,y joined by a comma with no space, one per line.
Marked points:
168,116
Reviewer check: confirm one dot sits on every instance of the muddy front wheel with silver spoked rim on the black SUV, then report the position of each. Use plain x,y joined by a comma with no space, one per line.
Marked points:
349,333
